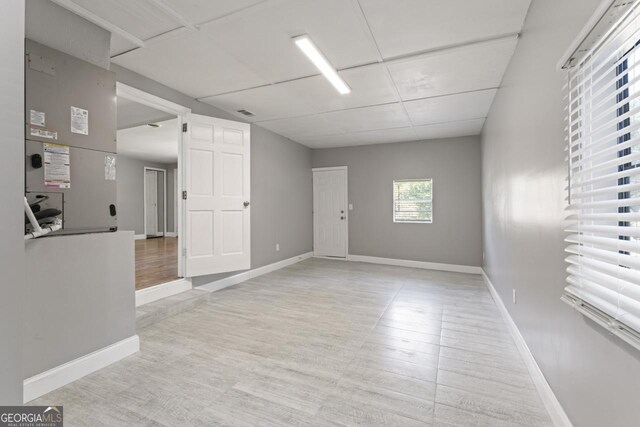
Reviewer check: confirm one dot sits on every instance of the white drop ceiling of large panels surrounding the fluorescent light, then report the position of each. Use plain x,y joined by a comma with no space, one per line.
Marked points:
418,69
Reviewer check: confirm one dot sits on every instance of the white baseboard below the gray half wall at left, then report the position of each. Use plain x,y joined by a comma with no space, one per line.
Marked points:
54,378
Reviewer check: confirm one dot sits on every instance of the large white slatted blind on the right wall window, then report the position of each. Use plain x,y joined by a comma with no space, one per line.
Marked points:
604,180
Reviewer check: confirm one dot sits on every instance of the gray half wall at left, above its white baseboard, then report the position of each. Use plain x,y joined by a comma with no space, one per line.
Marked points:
69,315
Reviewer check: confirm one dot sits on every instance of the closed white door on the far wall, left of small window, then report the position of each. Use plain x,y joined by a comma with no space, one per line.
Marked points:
330,212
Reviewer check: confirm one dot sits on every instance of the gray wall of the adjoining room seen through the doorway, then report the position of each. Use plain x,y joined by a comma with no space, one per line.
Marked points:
130,195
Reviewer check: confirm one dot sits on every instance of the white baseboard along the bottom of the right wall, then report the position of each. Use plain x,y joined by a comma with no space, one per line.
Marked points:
551,403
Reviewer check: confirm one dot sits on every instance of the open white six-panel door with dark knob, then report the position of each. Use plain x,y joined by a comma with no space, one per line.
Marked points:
218,215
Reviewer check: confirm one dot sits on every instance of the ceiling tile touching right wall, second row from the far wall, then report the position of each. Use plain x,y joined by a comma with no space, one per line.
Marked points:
464,106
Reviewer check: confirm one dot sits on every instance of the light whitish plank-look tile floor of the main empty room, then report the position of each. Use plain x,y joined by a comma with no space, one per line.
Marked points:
320,343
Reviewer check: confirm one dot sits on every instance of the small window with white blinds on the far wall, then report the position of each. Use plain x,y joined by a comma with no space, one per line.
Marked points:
413,200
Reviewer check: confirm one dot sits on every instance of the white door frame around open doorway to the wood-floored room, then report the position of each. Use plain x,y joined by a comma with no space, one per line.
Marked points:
132,94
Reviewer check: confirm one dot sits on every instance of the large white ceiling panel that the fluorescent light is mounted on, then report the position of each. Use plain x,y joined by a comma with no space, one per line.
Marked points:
255,47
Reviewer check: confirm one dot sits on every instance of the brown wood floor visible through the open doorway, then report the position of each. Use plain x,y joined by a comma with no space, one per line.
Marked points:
156,261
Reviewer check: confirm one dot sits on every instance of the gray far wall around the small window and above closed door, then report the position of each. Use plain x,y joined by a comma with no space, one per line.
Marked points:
453,164
